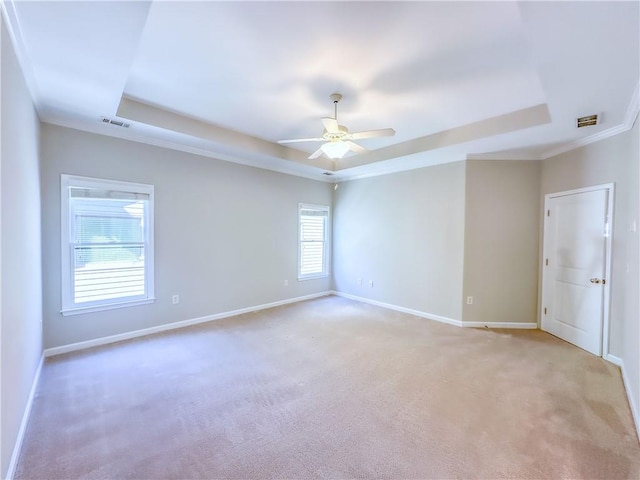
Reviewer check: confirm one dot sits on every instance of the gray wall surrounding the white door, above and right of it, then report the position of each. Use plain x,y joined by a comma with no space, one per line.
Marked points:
612,160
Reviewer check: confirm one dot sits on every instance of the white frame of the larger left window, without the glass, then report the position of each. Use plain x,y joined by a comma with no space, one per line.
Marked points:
69,306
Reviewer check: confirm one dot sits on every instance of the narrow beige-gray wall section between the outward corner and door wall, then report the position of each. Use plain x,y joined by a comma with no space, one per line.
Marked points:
501,241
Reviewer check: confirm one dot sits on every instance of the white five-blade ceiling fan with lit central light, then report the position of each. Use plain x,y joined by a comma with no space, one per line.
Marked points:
337,137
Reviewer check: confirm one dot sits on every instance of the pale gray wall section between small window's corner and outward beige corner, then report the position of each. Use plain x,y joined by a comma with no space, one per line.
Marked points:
404,231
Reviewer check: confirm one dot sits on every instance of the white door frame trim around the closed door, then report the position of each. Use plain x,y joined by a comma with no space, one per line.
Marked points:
606,302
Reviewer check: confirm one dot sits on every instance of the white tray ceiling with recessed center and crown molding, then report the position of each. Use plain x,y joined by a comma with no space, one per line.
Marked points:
456,80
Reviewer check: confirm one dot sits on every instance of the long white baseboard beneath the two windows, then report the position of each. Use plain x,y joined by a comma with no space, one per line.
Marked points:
72,347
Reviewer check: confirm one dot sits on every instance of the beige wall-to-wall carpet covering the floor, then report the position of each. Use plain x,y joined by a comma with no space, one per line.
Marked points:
331,388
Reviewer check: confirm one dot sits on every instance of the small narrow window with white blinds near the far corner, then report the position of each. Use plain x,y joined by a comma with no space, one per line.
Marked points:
313,221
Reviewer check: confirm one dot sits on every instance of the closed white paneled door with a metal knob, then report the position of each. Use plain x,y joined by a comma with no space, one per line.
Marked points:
576,232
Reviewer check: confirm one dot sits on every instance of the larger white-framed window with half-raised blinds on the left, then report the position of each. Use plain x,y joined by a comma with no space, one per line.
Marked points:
107,244
